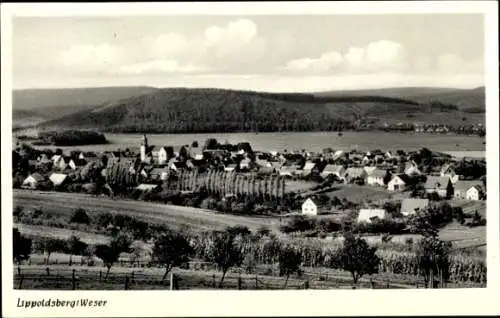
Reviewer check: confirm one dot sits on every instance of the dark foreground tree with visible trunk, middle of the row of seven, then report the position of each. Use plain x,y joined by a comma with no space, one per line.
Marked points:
225,252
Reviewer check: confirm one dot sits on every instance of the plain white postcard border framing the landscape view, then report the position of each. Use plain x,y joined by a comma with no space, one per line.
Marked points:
257,303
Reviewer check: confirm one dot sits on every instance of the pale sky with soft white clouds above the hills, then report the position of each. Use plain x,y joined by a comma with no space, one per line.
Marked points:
272,53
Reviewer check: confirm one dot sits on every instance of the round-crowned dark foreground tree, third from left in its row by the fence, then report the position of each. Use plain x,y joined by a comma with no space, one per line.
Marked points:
171,249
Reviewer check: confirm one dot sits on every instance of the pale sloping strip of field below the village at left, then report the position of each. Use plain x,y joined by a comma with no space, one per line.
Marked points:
66,203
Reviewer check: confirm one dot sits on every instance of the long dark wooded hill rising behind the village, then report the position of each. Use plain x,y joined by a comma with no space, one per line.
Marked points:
183,110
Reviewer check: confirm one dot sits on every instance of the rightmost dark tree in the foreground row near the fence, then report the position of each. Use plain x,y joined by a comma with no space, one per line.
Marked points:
432,257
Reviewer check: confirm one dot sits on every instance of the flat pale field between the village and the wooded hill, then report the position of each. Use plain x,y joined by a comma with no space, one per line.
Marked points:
312,141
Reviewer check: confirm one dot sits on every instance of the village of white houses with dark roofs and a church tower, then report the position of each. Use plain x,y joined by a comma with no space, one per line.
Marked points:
417,178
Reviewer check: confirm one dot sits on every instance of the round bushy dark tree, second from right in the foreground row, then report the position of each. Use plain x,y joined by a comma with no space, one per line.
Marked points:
357,257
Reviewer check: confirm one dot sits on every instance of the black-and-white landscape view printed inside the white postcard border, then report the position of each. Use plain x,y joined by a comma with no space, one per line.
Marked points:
239,152
